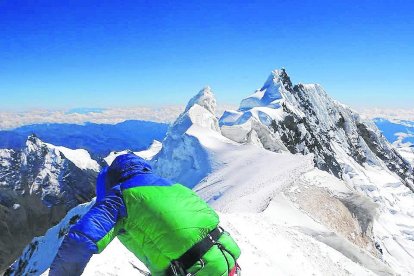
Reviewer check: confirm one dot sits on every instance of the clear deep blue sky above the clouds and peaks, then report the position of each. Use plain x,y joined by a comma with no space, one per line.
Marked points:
66,54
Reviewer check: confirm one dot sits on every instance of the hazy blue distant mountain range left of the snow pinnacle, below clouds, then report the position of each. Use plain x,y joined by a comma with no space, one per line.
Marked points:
97,139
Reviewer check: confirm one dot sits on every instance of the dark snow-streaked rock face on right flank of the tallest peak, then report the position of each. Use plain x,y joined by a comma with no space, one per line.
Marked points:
327,122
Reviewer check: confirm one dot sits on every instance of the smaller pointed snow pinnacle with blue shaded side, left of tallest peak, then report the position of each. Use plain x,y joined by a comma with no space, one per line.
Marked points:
183,157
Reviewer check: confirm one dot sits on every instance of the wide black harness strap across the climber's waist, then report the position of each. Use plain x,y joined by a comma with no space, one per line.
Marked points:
195,253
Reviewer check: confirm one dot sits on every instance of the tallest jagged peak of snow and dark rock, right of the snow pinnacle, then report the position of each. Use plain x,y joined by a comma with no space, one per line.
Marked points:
305,120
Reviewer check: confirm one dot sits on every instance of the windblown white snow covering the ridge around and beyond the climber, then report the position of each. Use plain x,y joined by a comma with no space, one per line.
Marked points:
289,217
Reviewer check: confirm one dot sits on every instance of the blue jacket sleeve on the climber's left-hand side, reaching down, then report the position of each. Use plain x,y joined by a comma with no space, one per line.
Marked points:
83,238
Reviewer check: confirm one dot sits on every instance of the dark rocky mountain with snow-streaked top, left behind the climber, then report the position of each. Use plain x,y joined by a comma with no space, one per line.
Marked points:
38,185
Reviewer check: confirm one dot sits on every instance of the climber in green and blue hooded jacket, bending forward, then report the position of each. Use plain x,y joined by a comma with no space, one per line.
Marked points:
166,225
